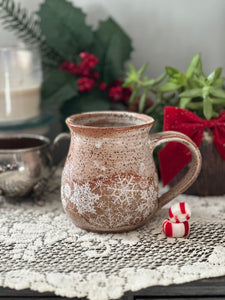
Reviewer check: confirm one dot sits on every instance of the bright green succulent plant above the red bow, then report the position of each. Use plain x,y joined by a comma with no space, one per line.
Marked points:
192,90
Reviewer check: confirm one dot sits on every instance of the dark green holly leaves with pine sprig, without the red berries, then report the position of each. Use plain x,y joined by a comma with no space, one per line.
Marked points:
60,31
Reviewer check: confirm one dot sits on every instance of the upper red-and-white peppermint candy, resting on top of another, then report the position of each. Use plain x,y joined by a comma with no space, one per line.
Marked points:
179,212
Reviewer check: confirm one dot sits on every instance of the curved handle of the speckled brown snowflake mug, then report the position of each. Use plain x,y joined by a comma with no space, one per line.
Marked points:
195,165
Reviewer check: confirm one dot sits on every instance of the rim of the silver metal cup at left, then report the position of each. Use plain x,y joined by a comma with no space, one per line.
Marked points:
44,139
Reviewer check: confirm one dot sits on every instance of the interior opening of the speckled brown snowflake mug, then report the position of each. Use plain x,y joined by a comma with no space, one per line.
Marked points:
110,119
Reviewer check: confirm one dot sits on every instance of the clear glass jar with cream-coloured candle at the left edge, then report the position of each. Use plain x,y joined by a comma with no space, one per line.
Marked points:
20,85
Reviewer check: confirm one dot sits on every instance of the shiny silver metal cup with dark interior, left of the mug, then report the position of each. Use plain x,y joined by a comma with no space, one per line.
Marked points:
26,162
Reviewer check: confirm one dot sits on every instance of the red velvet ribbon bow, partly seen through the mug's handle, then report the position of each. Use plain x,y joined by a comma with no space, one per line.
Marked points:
175,156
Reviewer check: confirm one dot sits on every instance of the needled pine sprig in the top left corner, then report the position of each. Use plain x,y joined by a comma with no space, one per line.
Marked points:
27,28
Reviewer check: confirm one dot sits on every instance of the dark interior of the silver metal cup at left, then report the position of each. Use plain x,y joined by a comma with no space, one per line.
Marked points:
17,143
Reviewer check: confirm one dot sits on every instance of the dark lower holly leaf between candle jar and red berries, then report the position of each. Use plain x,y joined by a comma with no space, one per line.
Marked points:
58,87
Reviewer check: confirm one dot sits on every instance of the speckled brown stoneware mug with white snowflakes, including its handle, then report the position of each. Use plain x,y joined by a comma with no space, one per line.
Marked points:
109,181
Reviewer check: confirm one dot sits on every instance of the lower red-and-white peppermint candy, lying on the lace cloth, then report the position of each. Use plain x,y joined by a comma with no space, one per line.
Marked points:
175,229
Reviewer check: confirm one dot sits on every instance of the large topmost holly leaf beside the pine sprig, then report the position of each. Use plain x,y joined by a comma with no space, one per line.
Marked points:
64,27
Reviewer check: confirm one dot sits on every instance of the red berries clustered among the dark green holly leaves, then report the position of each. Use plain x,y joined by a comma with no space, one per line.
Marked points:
88,78
